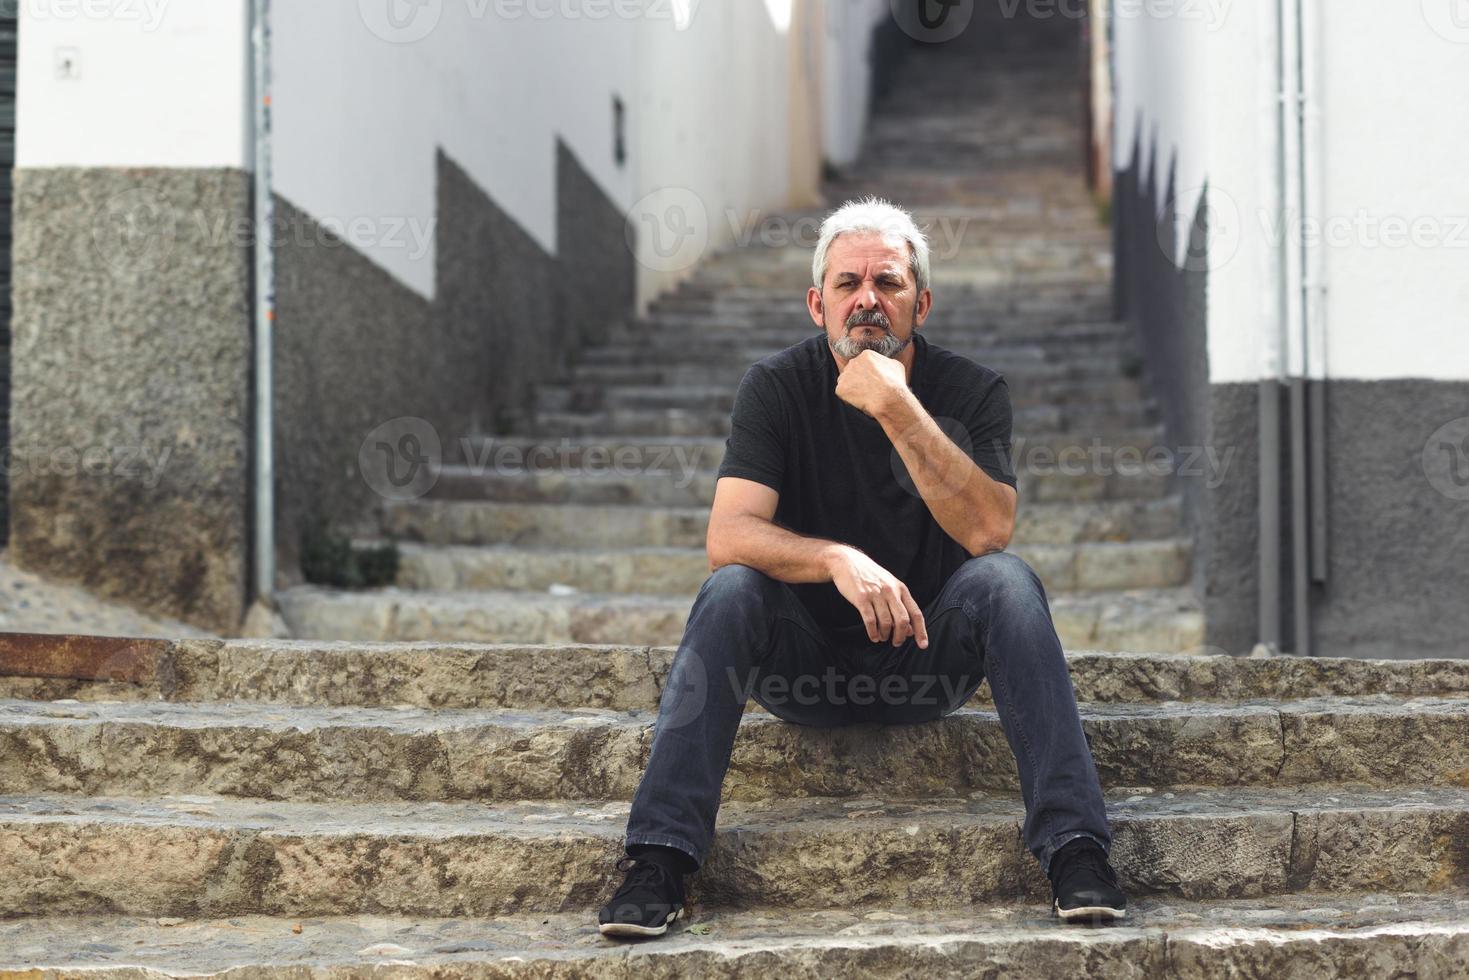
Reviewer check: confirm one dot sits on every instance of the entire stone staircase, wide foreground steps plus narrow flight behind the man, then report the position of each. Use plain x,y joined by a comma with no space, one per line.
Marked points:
434,779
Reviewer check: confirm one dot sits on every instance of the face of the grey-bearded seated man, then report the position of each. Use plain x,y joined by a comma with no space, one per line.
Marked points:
869,300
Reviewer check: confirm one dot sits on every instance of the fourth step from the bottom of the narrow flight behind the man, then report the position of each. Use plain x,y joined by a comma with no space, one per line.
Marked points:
1045,483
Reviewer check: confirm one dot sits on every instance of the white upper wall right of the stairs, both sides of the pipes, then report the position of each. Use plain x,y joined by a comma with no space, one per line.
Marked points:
1392,162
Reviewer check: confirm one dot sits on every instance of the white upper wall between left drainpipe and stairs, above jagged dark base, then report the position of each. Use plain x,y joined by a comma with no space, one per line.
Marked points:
496,83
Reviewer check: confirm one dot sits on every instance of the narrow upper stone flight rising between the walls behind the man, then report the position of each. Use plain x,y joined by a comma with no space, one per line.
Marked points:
588,527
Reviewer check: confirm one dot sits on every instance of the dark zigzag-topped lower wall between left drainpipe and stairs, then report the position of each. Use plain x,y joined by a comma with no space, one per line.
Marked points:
358,349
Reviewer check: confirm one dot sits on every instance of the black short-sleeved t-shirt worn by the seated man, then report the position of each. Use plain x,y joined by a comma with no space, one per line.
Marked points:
841,478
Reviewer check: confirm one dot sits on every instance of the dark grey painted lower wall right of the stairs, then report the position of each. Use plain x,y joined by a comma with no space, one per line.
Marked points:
1396,540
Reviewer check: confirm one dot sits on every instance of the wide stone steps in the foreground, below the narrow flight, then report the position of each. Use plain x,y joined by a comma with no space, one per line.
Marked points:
315,809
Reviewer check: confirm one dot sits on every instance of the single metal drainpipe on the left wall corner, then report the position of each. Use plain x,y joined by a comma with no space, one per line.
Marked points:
265,308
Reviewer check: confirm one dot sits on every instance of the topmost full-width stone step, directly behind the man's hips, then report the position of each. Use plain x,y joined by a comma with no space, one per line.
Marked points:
533,677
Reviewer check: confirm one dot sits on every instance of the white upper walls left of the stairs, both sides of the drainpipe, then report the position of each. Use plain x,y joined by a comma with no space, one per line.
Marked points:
361,105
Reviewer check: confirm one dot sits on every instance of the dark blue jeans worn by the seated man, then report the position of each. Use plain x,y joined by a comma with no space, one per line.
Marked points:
991,619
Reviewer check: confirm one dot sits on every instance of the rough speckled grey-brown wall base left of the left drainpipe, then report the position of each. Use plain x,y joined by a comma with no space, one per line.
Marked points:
131,386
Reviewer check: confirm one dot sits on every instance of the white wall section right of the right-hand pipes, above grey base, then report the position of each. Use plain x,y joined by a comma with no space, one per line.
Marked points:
1396,155
